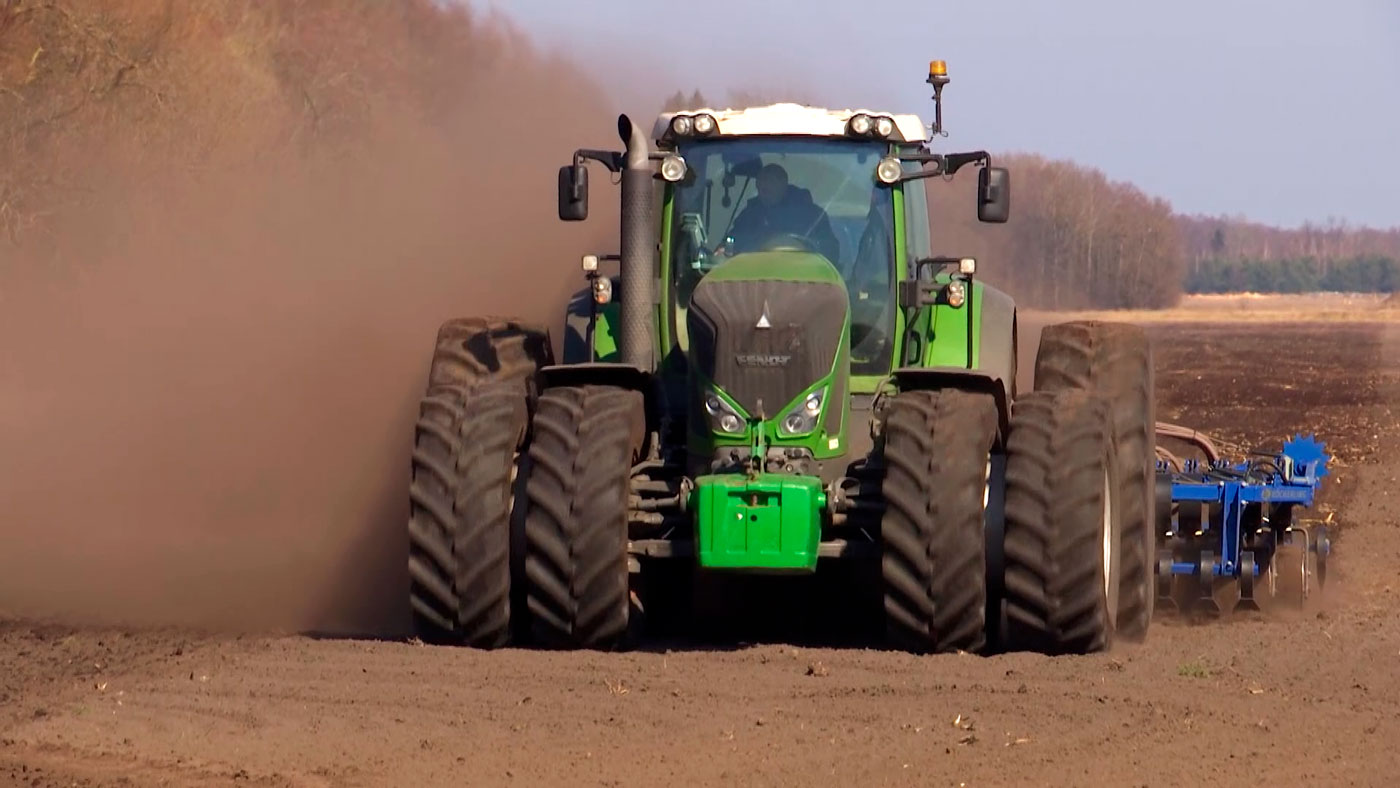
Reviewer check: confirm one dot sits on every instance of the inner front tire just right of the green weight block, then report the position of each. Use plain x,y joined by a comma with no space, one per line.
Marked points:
937,456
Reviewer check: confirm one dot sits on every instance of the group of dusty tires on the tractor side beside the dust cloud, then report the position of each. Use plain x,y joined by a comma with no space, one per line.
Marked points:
493,561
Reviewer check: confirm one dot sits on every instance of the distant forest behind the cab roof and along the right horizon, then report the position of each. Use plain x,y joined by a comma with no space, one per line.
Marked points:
1079,240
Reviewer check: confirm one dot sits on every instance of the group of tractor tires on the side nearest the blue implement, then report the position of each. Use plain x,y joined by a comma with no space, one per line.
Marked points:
1072,570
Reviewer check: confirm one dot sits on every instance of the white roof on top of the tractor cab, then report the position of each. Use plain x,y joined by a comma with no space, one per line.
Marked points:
793,120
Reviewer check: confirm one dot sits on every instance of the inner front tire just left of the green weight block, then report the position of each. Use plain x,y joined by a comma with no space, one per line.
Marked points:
586,442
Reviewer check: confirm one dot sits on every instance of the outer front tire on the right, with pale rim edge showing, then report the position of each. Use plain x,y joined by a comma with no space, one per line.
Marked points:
1063,533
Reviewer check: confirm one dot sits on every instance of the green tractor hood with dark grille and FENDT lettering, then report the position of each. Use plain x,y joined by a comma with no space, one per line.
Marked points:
766,327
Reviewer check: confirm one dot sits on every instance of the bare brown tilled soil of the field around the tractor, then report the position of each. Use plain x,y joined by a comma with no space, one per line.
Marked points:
1287,699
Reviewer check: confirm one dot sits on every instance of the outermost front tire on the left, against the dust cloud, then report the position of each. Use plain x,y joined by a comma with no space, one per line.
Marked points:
461,503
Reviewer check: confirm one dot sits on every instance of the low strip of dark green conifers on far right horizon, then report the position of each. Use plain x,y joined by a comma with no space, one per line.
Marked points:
1300,275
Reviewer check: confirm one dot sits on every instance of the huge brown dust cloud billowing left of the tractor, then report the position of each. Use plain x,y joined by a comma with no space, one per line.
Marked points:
209,365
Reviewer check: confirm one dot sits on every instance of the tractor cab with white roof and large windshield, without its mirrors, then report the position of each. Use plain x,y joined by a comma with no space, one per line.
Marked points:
786,181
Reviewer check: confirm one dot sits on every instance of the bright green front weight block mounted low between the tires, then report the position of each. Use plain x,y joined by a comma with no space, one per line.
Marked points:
771,524
